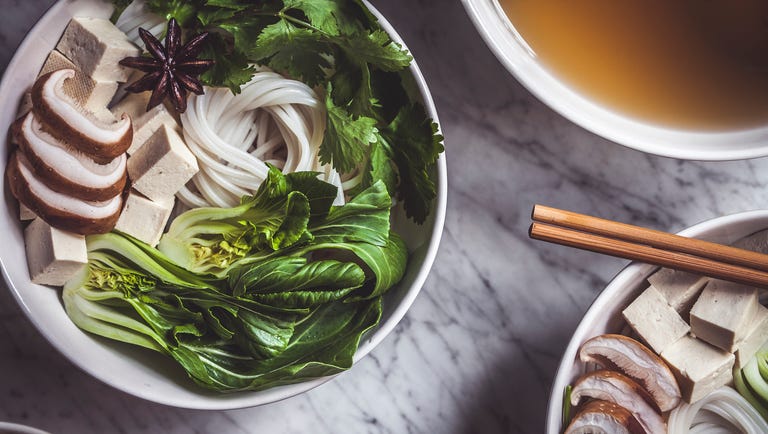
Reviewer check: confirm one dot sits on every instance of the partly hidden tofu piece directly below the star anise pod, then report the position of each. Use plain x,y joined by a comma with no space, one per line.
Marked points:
145,123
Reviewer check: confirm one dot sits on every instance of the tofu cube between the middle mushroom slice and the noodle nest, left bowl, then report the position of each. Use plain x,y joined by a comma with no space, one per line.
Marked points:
162,165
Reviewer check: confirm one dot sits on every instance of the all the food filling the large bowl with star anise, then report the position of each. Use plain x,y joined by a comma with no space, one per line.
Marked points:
281,245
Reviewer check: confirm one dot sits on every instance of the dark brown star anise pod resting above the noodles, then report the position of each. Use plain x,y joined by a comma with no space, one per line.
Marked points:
172,70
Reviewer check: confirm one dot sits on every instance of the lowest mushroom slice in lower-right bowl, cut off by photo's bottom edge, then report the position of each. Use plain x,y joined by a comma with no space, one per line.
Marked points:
598,416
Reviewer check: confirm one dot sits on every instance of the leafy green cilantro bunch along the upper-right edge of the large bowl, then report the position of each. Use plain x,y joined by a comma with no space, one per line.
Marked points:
338,46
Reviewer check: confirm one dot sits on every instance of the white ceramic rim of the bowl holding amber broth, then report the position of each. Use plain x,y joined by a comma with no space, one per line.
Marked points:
521,61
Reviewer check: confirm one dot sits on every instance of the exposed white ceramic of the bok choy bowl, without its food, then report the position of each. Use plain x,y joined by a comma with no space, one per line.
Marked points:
131,369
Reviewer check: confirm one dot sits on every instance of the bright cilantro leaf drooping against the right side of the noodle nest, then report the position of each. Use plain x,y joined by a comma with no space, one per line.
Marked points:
347,137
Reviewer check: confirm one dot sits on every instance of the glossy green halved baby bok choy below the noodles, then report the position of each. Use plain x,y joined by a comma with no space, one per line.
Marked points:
275,291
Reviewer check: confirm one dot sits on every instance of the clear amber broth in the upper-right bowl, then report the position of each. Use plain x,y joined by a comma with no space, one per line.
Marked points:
691,64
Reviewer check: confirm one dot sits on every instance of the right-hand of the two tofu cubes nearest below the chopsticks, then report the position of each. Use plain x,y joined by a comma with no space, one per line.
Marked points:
723,312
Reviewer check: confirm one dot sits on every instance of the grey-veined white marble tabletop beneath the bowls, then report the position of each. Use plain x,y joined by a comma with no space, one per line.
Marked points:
478,350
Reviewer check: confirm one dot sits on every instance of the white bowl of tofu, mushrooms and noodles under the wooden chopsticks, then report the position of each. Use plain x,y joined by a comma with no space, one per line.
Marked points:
702,334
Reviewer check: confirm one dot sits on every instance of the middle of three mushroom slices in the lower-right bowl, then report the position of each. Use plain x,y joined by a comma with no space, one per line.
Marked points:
619,389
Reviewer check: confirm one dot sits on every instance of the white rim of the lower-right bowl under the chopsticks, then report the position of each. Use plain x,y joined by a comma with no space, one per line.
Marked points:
625,281
